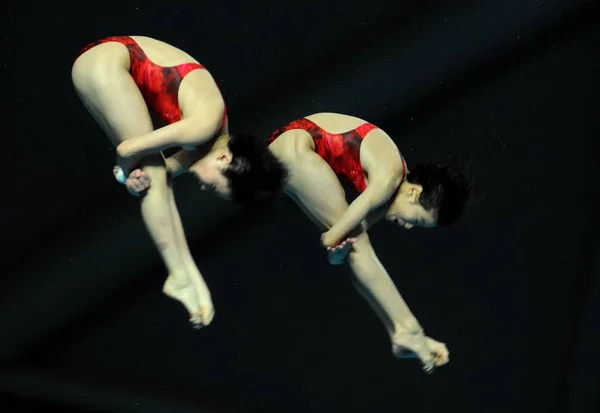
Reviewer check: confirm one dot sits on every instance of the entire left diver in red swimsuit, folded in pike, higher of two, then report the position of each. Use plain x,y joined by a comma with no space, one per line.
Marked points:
119,80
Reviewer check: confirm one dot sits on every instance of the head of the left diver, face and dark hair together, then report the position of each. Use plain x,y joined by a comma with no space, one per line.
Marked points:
242,169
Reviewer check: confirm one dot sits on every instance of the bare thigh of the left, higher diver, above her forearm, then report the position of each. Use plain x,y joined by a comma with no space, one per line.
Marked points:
102,81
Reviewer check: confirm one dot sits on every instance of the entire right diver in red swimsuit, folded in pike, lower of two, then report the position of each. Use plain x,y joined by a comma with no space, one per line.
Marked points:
317,148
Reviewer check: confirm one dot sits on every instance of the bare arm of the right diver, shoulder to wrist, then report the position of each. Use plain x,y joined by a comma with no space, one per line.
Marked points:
381,160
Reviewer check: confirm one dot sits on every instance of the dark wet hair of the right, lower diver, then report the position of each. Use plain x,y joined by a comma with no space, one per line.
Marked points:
446,190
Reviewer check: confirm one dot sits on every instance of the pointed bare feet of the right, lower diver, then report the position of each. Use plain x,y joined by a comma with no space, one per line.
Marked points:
432,353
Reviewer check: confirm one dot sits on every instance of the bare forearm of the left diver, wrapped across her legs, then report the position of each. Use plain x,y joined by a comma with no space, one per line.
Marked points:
193,130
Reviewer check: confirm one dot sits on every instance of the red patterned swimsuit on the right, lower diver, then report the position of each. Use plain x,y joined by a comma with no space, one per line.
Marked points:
340,150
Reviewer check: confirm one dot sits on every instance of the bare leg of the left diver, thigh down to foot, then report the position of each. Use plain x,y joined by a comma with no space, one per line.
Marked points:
112,98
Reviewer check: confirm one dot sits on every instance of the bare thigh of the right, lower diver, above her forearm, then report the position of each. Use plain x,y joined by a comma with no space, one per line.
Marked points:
316,189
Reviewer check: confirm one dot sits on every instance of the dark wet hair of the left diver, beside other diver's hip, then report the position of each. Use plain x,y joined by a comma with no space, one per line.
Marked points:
256,177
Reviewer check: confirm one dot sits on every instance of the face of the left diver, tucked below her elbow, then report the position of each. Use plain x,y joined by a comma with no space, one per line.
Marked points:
209,170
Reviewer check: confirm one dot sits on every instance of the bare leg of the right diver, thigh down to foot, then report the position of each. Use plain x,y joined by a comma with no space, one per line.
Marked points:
316,189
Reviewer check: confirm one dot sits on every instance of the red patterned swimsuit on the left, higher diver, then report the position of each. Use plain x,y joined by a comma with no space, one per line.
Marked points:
159,85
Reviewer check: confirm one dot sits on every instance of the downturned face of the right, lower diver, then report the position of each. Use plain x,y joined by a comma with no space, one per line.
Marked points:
406,210
